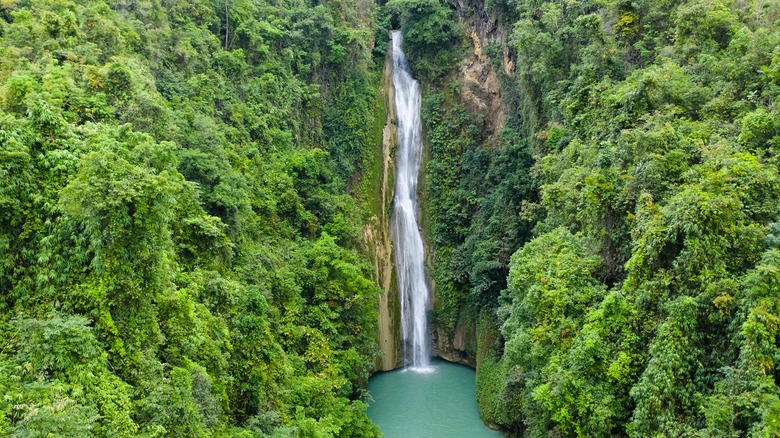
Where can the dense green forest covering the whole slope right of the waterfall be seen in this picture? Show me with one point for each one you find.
(640, 165)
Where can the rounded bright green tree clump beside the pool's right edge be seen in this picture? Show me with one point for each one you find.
(550, 289)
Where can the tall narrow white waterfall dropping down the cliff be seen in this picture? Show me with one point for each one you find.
(409, 252)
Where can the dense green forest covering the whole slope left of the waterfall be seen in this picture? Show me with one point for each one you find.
(177, 248)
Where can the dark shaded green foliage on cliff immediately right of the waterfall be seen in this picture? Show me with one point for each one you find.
(474, 194)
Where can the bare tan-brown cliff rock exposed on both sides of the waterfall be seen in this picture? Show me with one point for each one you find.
(480, 90)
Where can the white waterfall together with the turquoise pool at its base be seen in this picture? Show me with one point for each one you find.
(422, 400)
